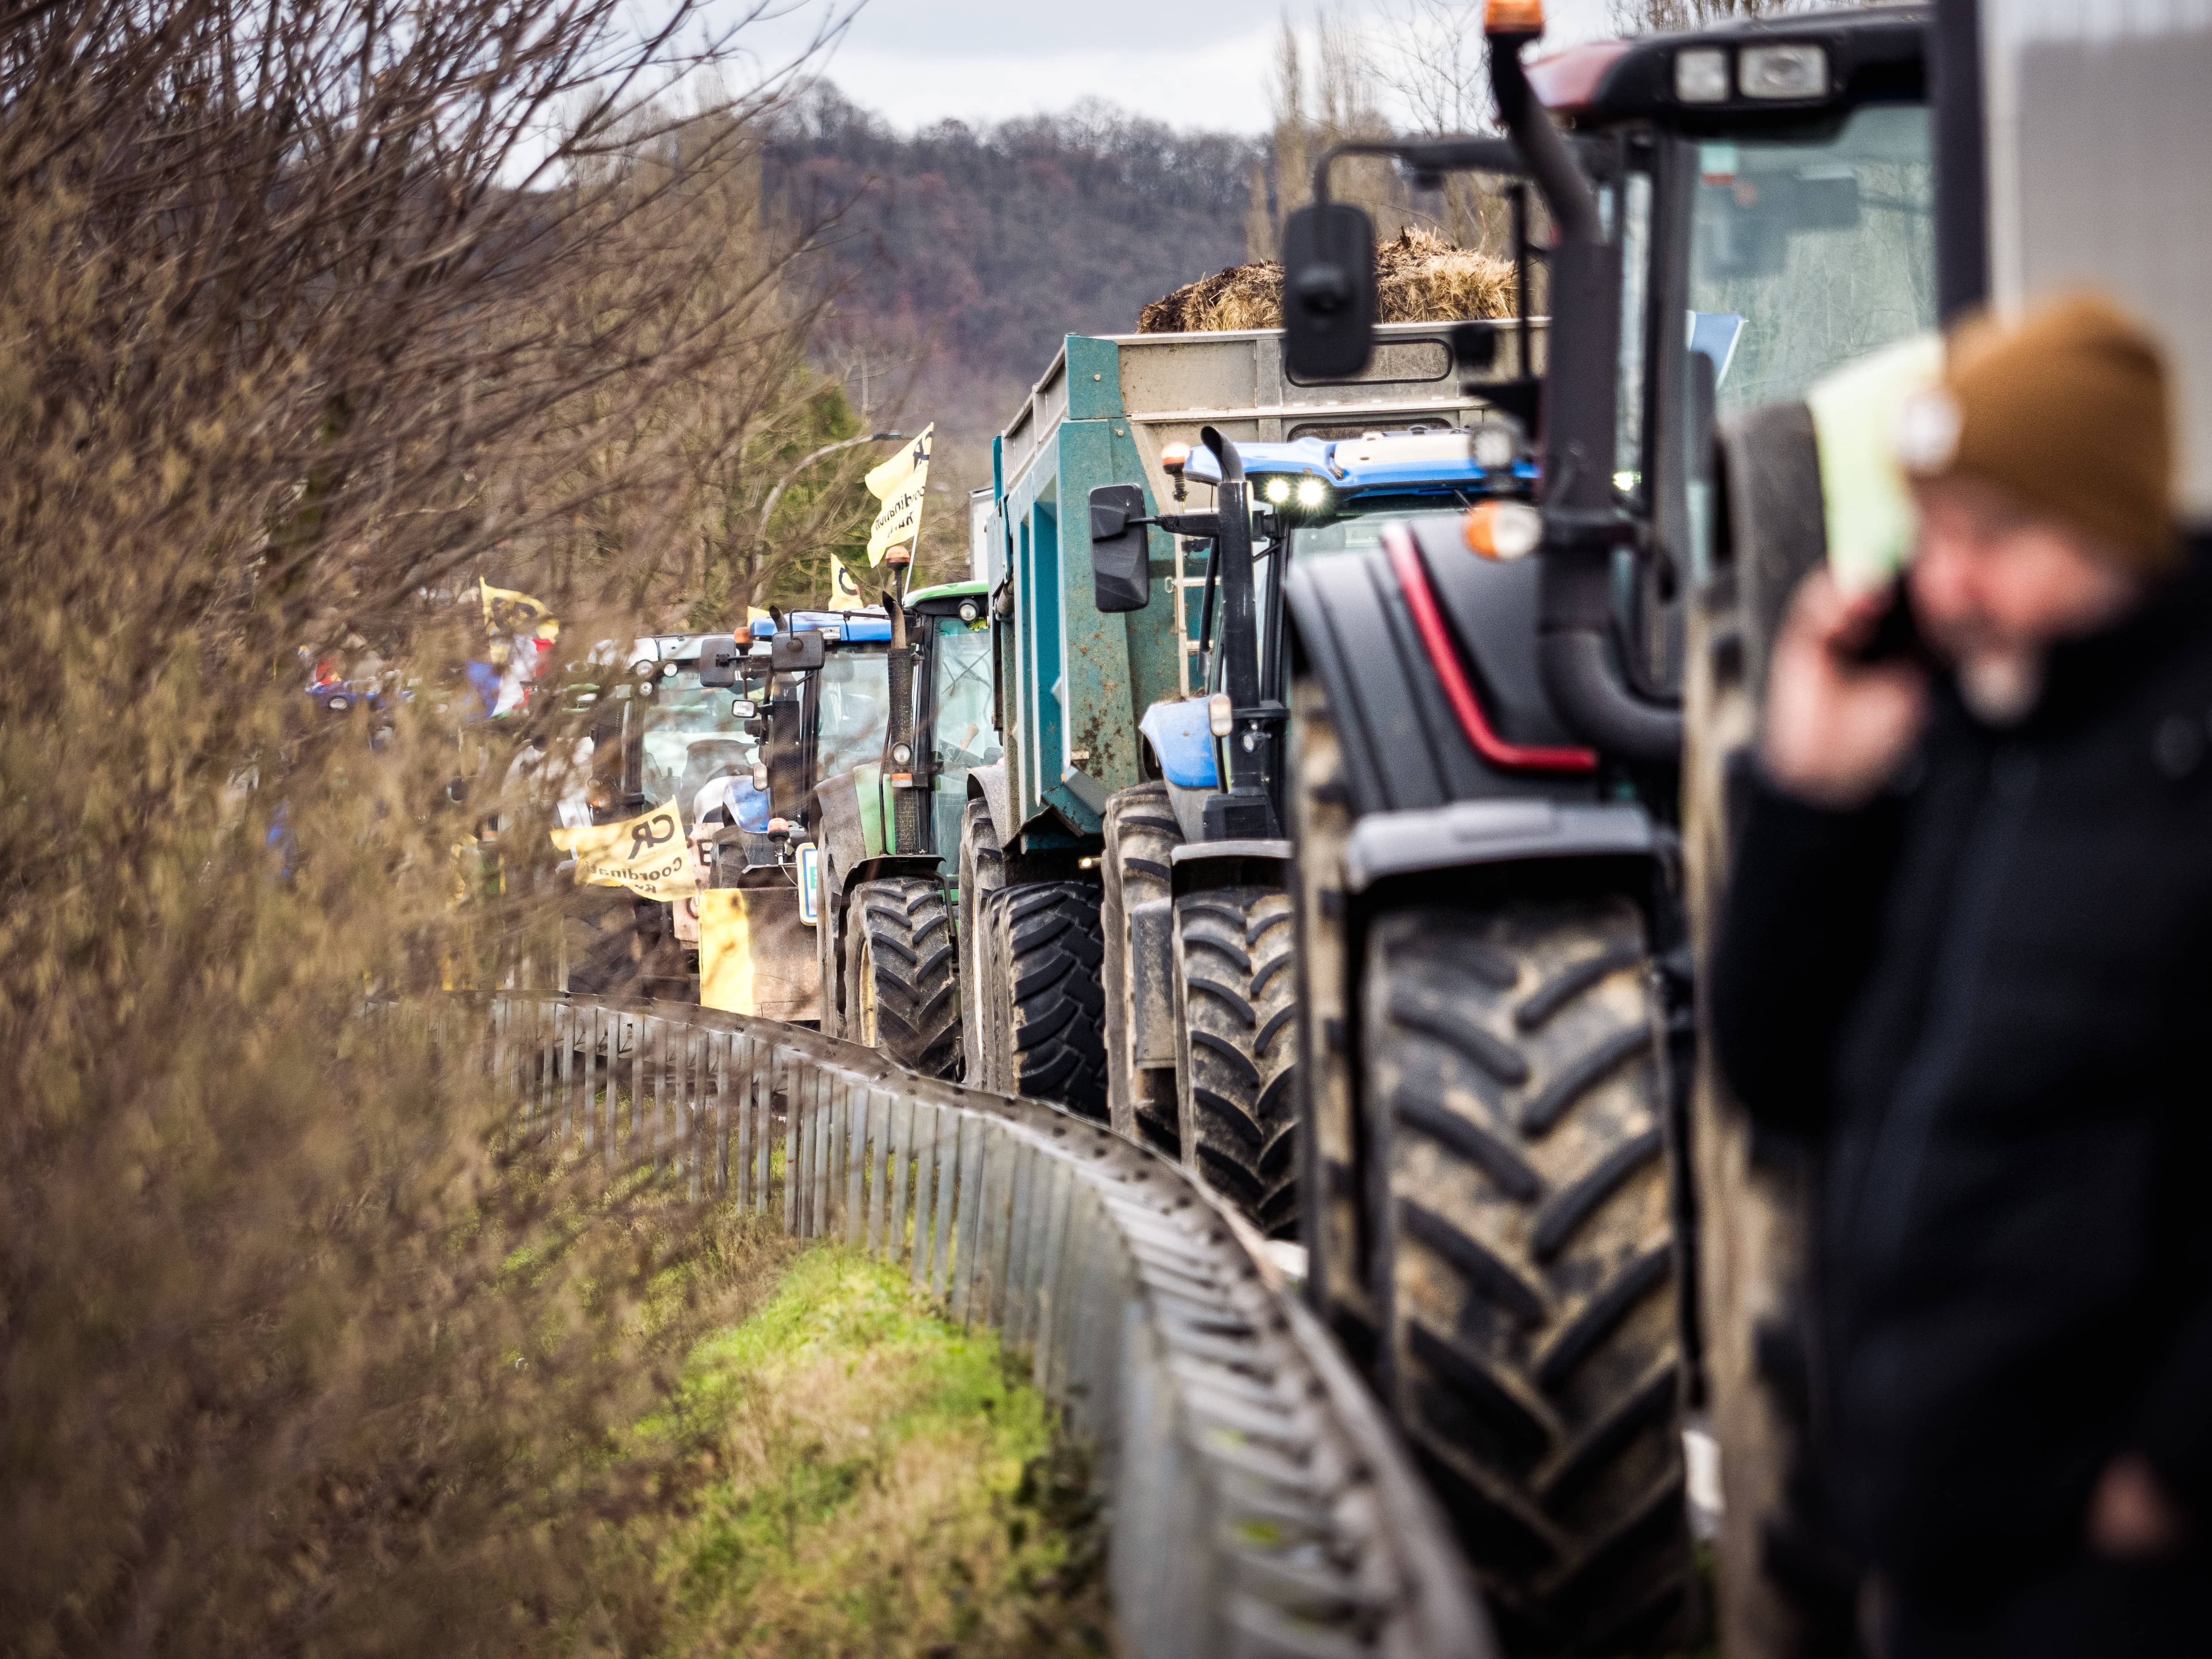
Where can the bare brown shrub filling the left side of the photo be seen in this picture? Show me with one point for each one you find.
(309, 315)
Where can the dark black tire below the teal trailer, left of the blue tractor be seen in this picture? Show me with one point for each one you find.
(1043, 972)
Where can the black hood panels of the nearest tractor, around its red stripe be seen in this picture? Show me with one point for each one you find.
(1404, 744)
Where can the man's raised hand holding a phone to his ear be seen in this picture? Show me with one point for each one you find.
(1837, 731)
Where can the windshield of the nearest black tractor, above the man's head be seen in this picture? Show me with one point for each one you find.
(1813, 251)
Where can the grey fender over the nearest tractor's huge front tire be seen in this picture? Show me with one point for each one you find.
(1494, 833)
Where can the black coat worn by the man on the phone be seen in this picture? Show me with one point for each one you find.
(1987, 1001)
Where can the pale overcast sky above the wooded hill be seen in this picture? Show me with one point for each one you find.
(983, 61)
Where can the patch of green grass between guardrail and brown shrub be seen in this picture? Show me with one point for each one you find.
(888, 1485)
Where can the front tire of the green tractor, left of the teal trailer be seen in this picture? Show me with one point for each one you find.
(901, 974)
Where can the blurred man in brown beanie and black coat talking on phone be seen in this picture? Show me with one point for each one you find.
(1970, 959)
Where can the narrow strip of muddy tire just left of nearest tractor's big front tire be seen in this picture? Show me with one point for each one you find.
(1333, 1154)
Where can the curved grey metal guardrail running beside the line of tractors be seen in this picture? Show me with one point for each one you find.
(1260, 1505)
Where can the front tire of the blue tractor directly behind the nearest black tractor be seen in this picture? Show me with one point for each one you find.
(1235, 1050)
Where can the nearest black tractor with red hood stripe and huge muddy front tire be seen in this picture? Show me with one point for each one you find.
(1510, 1207)
